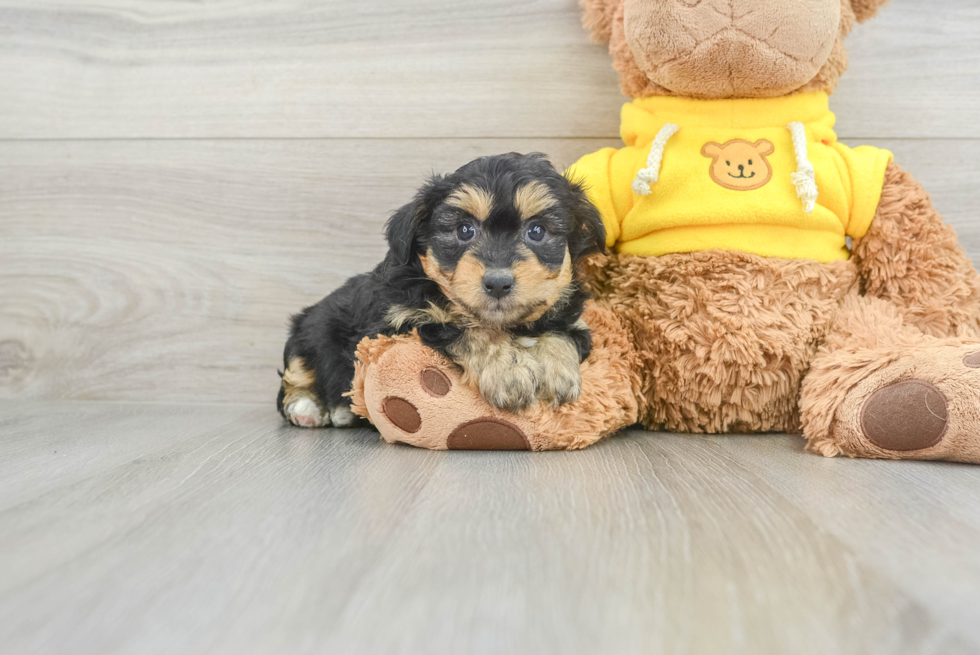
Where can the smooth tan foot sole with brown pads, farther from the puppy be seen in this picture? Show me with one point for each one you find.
(925, 406)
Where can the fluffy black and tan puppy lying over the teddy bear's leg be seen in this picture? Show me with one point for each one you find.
(483, 264)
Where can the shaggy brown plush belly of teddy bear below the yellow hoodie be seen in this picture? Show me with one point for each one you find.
(724, 338)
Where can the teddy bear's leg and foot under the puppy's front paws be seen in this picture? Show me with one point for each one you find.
(414, 395)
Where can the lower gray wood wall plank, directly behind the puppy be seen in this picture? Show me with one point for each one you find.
(166, 271)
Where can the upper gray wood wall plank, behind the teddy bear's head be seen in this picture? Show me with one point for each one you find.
(376, 69)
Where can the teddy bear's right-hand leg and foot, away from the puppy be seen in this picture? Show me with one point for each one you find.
(881, 388)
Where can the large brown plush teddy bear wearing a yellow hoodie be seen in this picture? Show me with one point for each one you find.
(759, 276)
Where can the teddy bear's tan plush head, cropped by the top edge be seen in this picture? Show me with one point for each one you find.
(726, 48)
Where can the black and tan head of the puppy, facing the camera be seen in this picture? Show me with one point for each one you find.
(503, 240)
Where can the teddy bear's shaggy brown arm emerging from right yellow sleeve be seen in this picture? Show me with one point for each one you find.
(912, 259)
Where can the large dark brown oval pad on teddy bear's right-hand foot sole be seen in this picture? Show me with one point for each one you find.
(906, 415)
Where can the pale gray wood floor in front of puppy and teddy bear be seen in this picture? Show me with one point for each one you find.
(238, 534)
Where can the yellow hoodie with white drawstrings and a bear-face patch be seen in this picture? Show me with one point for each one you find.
(764, 176)
